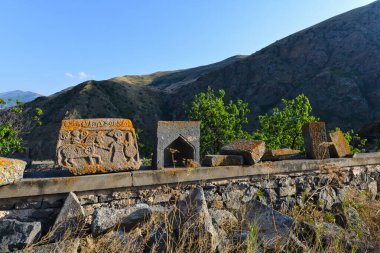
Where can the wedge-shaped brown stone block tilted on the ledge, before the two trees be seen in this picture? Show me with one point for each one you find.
(251, 150)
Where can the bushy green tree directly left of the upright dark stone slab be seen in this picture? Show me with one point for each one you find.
(283, 128)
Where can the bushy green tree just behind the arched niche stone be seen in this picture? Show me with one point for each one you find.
(221, 122)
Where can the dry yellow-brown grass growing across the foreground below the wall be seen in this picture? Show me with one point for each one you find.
(242, 236)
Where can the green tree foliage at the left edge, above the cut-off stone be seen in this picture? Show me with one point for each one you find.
(10, 140)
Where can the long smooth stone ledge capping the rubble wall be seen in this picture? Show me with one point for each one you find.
(47, 186)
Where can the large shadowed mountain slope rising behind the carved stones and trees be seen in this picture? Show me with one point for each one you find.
(336, 64)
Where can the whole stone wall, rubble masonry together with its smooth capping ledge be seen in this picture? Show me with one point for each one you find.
(325, 183)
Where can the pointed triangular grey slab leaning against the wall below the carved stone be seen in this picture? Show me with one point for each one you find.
(70, 219)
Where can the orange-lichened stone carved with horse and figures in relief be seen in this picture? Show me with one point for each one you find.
(88, 146)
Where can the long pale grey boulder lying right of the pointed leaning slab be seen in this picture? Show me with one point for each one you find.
(105, 218)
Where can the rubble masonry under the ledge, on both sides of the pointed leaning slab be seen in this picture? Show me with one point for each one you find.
(324, 186)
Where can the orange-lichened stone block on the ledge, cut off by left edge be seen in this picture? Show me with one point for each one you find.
(11, 170)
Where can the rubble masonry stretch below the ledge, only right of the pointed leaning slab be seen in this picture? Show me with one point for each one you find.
(281, 190)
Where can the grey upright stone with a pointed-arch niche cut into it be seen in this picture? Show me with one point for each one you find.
(177, 141)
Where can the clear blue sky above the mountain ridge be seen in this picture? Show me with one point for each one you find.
(46, 46)
